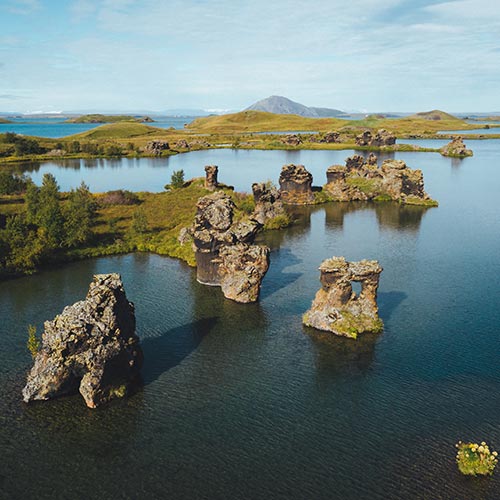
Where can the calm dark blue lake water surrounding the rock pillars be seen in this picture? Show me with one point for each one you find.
(242, 402)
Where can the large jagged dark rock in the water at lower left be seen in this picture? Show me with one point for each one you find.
(91, 347)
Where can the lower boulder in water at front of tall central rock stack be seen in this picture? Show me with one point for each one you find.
(241, 271)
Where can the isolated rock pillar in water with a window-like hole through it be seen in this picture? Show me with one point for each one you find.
(336, 308)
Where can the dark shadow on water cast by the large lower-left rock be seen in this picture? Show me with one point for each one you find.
(168, 350)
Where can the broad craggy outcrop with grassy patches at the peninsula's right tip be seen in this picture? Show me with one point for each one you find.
(362, 180)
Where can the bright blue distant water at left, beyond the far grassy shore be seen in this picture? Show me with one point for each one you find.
(55, 127)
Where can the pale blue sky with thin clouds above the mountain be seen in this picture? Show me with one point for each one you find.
(370, 55)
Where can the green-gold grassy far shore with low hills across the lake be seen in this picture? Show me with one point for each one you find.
(239, 130)
